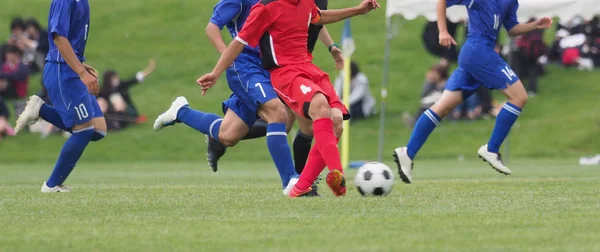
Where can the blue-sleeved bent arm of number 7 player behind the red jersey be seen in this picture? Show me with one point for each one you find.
(225, 11)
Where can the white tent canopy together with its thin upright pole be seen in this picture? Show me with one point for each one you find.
(411, 9)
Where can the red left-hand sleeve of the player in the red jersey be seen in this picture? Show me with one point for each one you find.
(260, 19)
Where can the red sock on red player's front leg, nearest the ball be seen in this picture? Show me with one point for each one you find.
(326, 142)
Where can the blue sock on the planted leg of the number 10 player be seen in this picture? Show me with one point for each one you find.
(69, 155)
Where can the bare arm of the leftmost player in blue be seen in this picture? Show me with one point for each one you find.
(68, 54)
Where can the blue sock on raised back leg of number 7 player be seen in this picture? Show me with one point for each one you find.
(206, 123)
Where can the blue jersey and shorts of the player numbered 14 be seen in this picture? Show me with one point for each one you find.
(478, 63)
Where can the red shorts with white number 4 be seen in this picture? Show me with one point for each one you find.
(297, 84)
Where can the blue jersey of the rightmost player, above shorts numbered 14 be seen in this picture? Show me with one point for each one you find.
(486, 16)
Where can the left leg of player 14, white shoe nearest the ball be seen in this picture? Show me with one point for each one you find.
(427, 122)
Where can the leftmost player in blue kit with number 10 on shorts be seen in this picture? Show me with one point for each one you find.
(71, 86)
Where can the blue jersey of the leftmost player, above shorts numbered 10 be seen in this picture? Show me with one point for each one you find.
(69, 19)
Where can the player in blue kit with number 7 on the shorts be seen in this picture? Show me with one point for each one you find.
(253, 96)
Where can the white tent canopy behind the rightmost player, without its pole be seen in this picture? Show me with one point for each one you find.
(564, 9)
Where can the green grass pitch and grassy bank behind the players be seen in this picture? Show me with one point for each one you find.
(139, 190)
